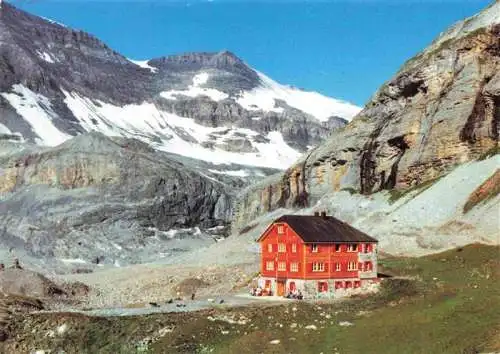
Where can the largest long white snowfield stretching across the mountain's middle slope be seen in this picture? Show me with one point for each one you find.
(171, 133)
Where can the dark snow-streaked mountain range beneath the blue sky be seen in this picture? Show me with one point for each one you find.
(58, 83)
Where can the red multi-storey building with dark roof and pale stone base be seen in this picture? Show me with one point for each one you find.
(317, 255)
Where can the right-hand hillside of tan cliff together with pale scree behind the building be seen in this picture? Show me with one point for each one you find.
(437, 117)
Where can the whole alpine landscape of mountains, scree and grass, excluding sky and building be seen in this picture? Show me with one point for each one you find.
(126, 184)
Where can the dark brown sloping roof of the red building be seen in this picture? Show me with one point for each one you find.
(323, 229)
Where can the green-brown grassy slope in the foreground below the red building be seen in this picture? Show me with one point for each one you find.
(448, 304)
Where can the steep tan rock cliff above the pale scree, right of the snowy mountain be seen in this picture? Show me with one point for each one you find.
(440, 110)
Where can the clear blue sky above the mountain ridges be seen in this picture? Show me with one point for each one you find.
(341, 48)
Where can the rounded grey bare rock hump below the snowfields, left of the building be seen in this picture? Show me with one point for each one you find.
(102, 200)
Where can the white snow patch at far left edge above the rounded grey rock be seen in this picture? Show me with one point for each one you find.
(37, 111)
